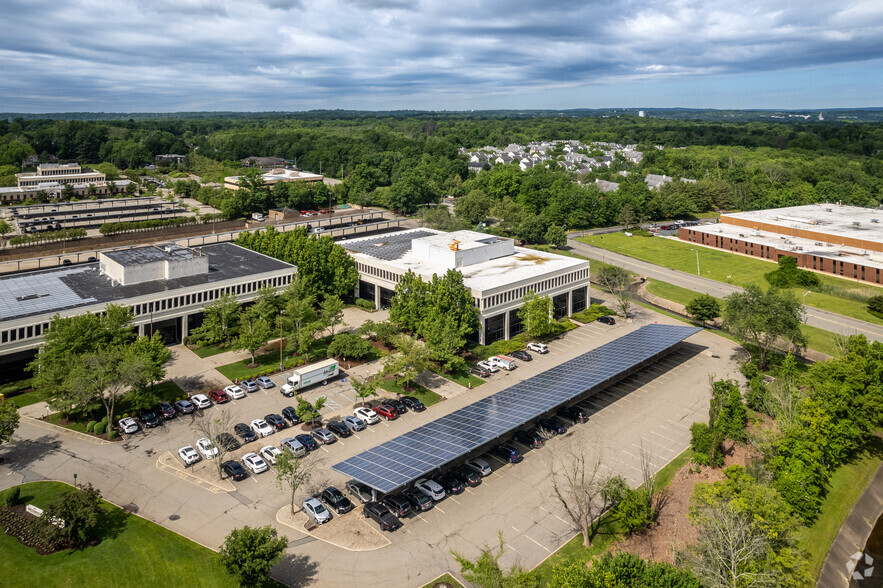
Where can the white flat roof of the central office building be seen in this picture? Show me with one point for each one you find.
(394, 249)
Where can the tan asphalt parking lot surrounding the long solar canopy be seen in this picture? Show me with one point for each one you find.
(651, 411)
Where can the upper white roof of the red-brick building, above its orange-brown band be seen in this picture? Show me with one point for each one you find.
(831, 219)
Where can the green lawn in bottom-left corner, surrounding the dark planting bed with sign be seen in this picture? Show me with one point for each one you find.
(142, 552)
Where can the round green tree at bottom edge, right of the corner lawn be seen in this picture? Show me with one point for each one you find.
(249, 554)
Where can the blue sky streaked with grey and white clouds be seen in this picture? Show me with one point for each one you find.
(173, 55)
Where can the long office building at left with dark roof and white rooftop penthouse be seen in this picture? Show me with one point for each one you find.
(166, 287)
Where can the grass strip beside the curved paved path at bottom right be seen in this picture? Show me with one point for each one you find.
(847, 484)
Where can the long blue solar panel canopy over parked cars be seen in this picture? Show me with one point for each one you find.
(402, 460)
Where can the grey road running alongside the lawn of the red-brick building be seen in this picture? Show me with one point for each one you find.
(815, 317)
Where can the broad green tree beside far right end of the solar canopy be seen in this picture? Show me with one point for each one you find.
(764, 317)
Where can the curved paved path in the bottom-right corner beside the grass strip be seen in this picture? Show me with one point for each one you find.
(853, 535)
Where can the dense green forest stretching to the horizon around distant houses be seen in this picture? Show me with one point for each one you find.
(408, 160)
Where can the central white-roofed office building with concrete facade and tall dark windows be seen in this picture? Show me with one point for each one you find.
(497, 273)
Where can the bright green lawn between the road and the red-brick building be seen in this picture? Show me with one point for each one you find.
(728, 267)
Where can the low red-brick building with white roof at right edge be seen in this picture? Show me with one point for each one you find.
(839, 240)
